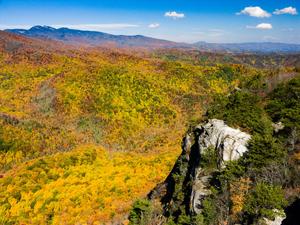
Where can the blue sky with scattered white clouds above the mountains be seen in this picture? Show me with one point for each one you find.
(178, 20)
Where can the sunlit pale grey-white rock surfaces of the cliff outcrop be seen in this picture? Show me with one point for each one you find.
(229, 144)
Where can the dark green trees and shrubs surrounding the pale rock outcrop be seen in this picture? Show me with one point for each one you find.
(253, 189)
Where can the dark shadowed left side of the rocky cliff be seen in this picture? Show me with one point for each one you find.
(181, 177)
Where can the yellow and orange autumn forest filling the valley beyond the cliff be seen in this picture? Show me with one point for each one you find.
(85, 132)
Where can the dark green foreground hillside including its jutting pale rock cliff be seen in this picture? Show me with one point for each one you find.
(218, 179)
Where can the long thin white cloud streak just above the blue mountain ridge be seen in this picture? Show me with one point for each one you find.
(96, 27)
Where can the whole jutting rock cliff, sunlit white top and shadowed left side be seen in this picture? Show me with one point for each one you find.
(188, 183)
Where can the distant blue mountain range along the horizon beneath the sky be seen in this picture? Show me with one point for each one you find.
(93, 38)
